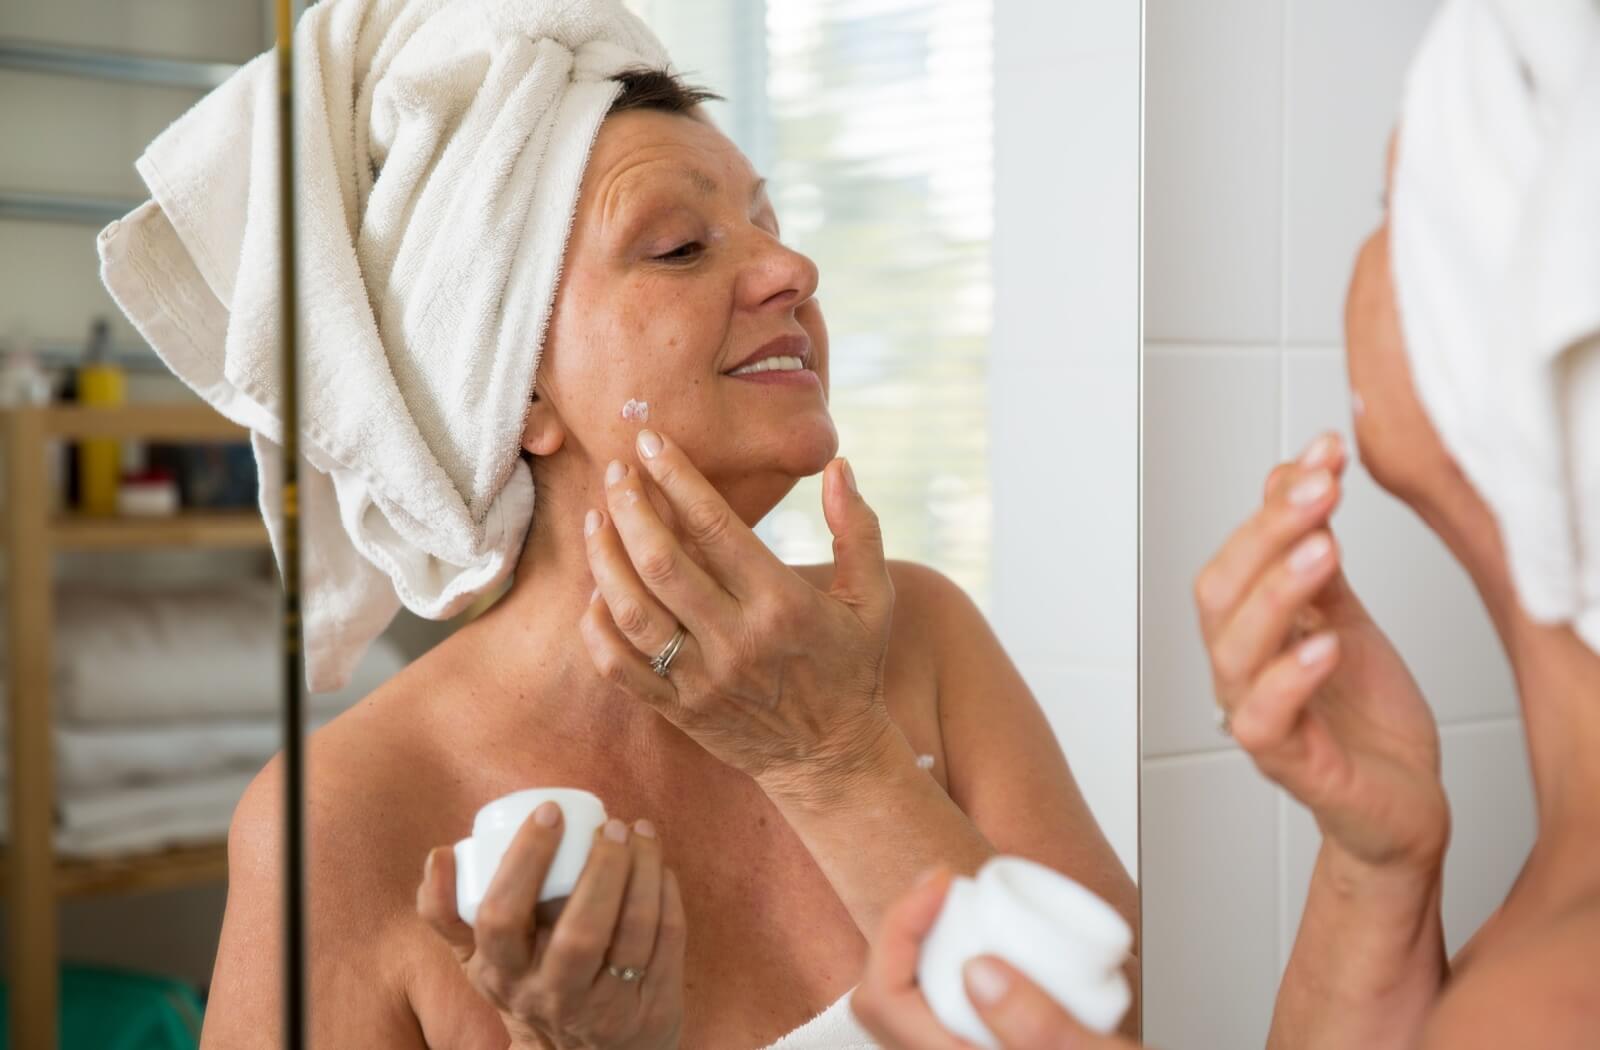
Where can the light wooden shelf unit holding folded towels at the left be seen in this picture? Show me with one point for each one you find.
(34, 880)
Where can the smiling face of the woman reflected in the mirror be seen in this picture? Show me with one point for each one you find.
(676, 283)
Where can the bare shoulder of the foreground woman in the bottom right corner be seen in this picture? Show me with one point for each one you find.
(1538, 990)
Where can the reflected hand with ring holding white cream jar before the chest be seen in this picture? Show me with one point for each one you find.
(559, 987)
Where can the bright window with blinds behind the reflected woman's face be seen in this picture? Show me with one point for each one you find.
(873, 121)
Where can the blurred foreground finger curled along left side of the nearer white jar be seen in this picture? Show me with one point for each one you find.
(889, 1003)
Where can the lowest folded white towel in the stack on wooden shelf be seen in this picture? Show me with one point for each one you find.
(153, 817)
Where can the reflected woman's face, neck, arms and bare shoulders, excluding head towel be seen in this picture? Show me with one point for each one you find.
(774, 775)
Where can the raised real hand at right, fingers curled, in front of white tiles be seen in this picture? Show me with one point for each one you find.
(1311, 687)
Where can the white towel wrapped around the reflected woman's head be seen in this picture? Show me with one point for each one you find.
(441, 150)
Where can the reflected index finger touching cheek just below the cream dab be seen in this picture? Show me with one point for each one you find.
(734, 553)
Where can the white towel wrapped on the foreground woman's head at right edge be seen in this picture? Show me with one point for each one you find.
(1495, 246)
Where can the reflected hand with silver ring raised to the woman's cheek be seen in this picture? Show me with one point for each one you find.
(775, 678)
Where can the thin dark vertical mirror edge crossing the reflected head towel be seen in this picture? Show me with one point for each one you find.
(295, 1008)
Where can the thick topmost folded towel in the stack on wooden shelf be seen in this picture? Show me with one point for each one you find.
(145, 657)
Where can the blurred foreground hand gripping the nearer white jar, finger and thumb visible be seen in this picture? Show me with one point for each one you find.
(1017, 1011)
